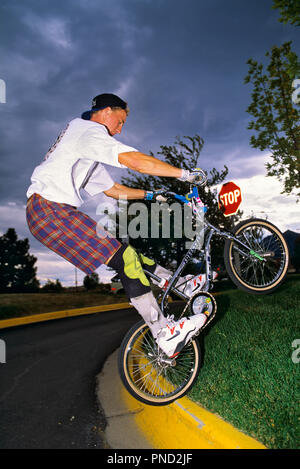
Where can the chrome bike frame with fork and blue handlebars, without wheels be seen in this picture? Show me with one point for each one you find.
(202, 239)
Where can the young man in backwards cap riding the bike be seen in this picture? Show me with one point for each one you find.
(73, 163)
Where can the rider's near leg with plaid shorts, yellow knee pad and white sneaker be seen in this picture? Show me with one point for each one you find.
(75, 236)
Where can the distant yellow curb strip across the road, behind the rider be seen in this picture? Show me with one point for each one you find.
(4, 323)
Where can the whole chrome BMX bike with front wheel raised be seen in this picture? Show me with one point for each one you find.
(256, 259)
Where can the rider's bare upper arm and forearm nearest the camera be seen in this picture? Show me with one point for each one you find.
(148, 164)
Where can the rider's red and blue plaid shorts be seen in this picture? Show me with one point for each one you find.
(70, 233)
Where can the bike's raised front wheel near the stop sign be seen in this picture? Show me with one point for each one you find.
(261, 268)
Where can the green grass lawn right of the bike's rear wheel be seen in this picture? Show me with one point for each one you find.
(248, 376)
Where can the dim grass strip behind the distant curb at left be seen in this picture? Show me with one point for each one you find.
(17, 304)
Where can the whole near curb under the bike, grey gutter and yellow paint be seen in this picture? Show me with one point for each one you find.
(180, 425)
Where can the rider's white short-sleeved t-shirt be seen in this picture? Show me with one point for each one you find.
(74, 162)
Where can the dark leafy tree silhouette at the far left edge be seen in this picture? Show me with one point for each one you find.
(17, 271)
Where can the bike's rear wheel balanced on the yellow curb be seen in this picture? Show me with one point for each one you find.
(149, 375)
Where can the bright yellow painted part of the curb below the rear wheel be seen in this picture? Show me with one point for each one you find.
(185, 425)
